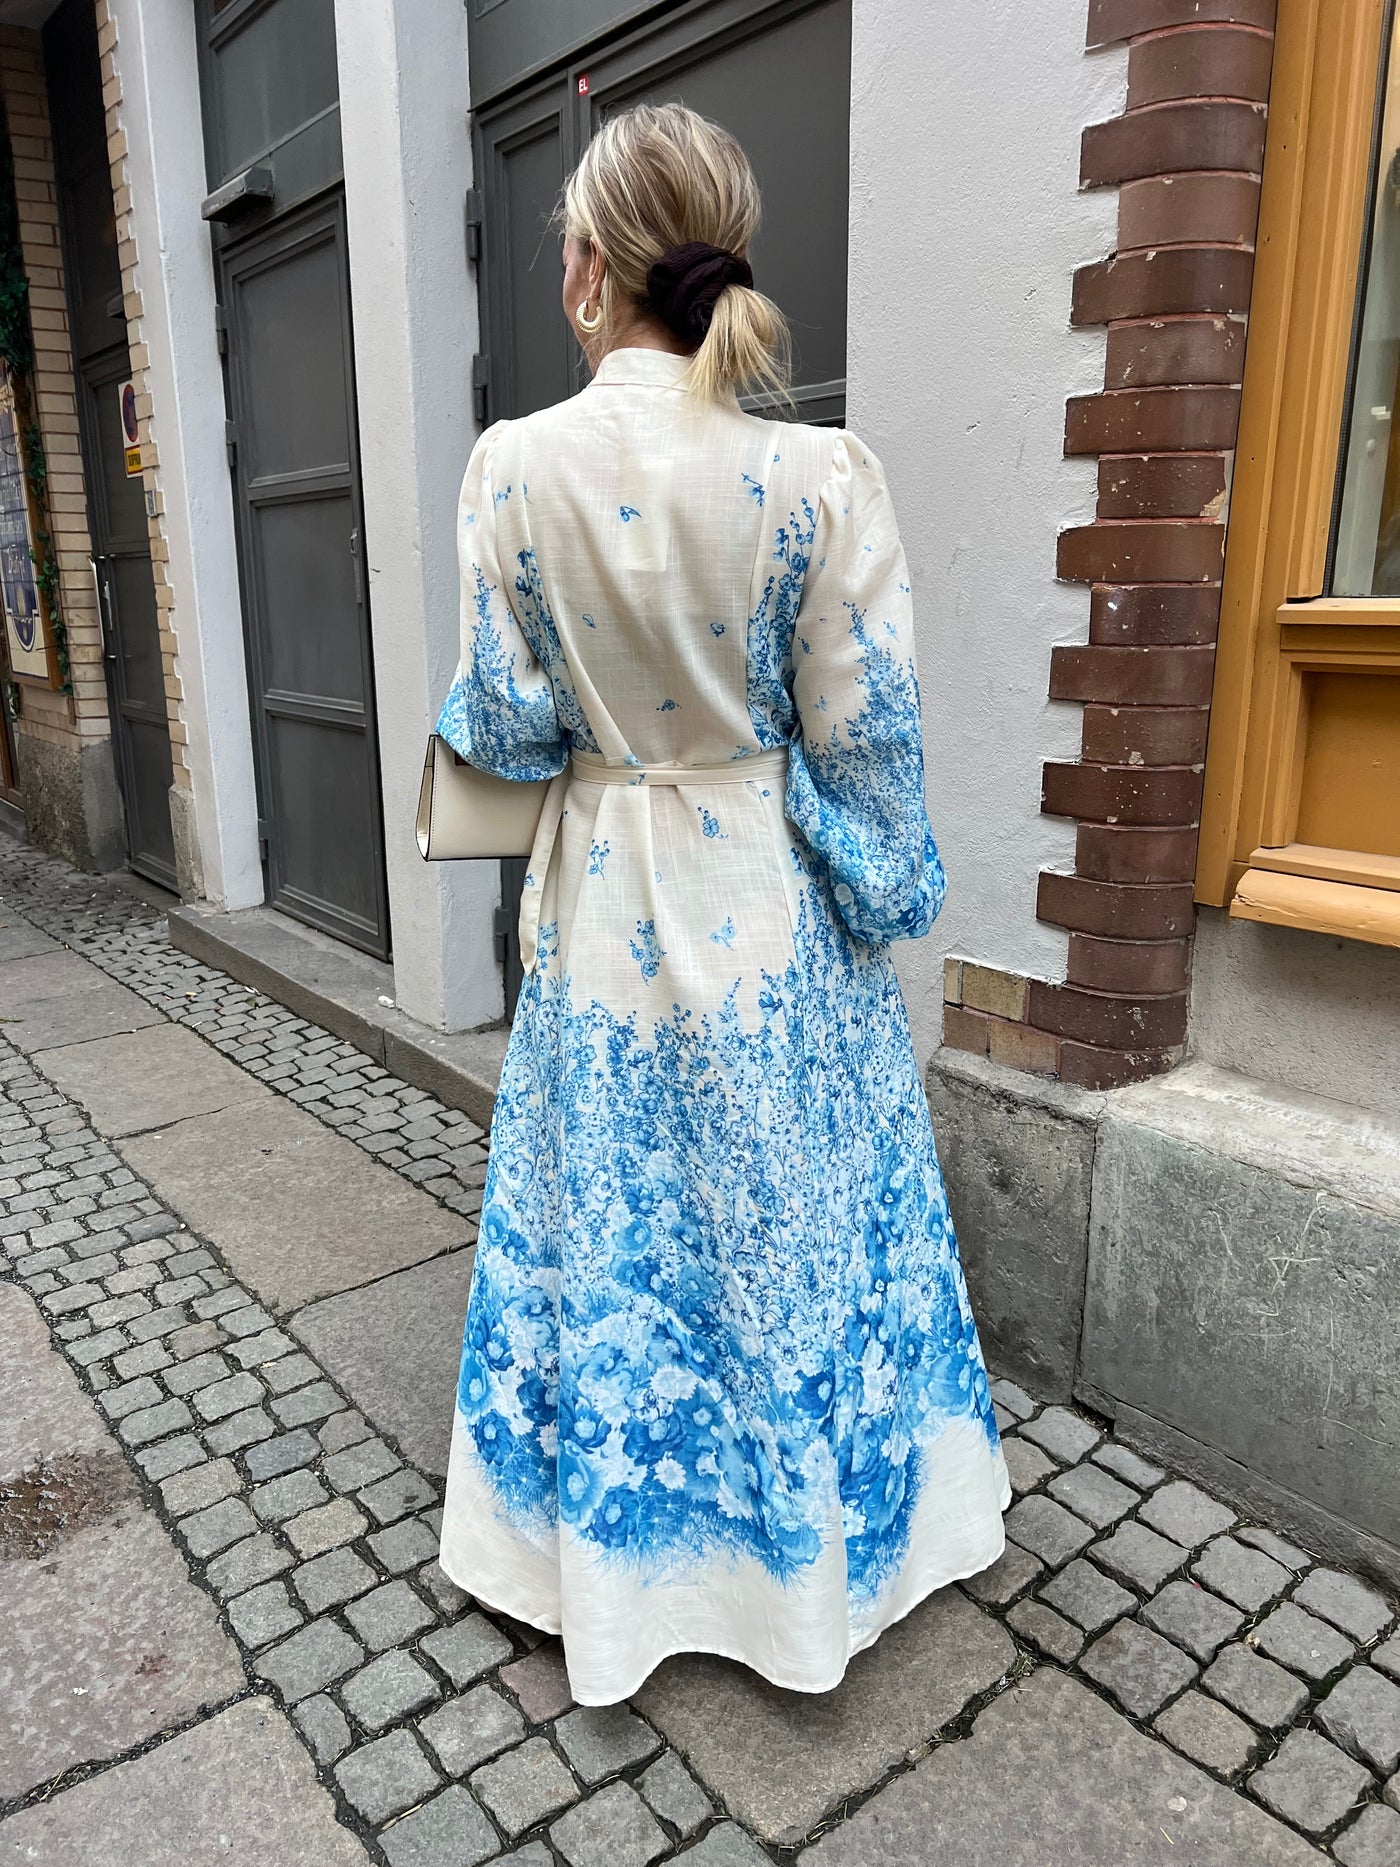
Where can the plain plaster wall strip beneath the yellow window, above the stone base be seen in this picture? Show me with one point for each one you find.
(1300, 1009)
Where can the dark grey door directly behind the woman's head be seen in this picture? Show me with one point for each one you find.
(779, 76)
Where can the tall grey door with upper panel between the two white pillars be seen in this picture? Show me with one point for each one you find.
(277, 206)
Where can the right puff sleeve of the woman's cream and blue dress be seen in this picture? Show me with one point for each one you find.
(856, 776)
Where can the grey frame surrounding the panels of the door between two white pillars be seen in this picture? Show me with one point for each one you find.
(311, 223)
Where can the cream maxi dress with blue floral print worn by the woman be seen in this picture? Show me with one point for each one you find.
(721, 1388)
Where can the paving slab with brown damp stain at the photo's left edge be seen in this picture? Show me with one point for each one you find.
(105, 1640)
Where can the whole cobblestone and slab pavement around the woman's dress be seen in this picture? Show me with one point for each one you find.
(221, 1450)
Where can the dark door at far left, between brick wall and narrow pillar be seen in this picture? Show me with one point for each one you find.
(117, 501)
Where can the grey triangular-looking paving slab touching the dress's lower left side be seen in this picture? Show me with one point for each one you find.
(395, 1349)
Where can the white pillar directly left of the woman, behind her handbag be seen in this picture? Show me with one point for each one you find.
(408, 167)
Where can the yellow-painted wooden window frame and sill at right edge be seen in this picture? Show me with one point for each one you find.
(1280, 636)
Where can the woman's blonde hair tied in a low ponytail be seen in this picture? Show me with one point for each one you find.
(656, 178)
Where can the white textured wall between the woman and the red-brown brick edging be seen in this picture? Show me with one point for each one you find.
(966, 229)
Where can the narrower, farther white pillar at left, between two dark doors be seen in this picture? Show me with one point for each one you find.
(165, 156)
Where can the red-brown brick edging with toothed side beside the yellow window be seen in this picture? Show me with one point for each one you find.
(1186, 160)
